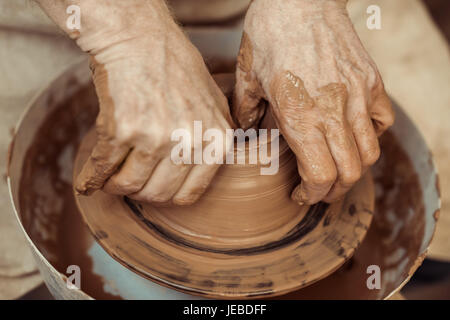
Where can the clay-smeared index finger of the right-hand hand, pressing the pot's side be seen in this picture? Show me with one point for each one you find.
(300, 124)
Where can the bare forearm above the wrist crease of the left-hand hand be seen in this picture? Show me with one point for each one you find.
(105, 22)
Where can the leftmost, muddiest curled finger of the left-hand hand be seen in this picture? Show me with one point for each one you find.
(104, 160)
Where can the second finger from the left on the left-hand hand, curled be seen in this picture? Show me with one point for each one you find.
(133, 174)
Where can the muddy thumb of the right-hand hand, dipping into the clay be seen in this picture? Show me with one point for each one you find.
(248, 93)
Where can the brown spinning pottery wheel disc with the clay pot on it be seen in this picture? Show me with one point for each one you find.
(244, 238)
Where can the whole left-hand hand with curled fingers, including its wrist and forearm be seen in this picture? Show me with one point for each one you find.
(150, 81)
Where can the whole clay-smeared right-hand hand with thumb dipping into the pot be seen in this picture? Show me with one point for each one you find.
(324, 91)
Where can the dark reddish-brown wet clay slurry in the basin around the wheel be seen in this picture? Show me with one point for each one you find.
(54, 223)
